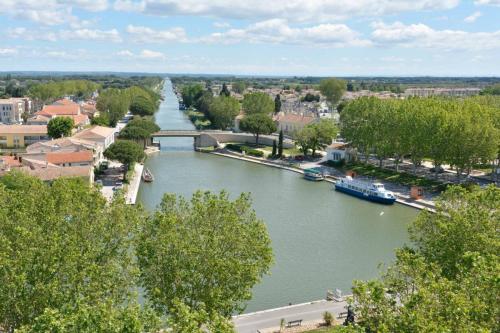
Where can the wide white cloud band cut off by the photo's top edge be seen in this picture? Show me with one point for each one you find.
(292, 10)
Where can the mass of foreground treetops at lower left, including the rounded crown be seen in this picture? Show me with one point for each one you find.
(72, 262)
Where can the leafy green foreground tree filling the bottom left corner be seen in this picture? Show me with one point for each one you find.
(70, 249)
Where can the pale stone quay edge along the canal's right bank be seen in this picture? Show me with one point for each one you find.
(401, 198)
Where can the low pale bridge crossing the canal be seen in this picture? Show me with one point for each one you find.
(204, 139)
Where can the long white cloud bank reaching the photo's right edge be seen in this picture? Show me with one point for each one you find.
(422, 36)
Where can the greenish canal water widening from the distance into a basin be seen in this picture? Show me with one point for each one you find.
(321, 239)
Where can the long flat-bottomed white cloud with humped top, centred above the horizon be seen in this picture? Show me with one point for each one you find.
(278, 31)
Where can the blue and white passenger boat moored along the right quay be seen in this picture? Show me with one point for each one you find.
(365, 190)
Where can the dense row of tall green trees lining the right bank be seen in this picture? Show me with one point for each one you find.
(459, 132)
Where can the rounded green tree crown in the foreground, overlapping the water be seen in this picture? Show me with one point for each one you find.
(207, 253)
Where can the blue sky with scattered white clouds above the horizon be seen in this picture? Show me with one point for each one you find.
(253, 37)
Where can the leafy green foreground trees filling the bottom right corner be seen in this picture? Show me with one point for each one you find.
(447, 281)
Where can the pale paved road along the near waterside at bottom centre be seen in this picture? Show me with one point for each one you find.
(250, 323)
